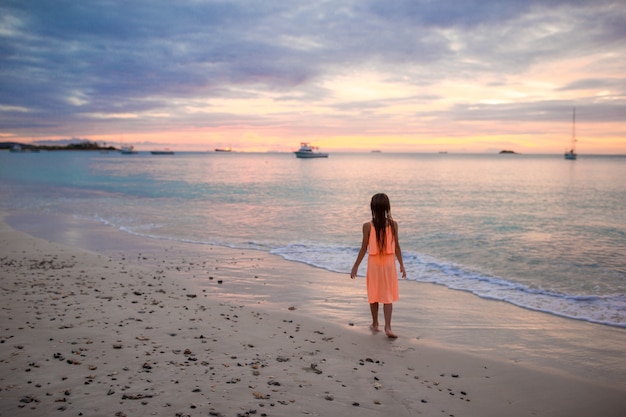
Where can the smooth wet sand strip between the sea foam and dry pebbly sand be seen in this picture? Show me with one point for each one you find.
(428, 312)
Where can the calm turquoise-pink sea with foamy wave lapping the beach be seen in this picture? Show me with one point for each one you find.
(535, 231)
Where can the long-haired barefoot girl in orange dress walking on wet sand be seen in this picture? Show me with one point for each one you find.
(381, 236)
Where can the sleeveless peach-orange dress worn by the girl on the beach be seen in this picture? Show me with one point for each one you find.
(382, 277)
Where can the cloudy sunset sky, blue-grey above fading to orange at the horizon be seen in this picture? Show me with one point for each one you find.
(355, 75)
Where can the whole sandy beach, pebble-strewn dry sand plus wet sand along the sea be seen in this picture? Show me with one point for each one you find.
(166, 332)
